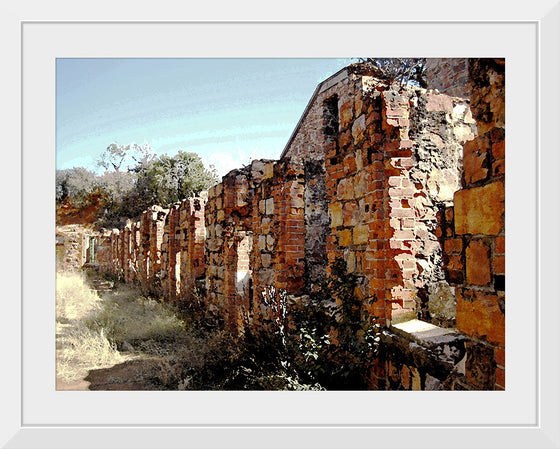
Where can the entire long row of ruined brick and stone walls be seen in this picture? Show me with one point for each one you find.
(405, 184)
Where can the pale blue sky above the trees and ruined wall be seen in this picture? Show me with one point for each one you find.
(229, 111)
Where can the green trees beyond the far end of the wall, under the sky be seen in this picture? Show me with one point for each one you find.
(134, 179)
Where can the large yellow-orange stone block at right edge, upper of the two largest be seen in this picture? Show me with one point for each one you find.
(480, 210)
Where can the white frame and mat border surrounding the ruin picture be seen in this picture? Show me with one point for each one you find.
(524, 415)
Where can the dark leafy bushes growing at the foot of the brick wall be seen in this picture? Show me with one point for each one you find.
(328, 340)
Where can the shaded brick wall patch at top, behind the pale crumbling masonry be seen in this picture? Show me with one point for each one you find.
(448, 75)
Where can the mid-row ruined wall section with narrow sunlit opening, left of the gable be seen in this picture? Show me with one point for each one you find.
(255, 237)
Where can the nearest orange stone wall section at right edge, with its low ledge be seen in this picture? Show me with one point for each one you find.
(472, 233)
